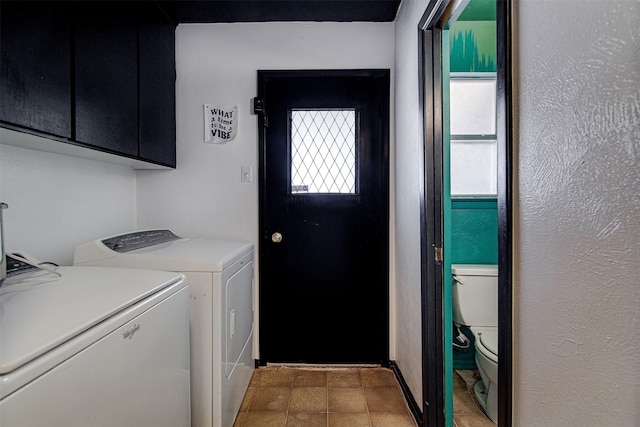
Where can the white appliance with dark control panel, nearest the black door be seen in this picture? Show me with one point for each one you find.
(220, 275)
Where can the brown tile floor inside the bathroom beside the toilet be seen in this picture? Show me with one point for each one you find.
(466, 412)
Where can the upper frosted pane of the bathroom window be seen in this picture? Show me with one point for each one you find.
(473, 106)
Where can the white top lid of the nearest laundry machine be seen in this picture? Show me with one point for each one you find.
(37, 316)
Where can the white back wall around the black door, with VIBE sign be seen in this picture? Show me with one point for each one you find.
(217, 64)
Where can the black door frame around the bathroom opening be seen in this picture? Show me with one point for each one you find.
(431, 219)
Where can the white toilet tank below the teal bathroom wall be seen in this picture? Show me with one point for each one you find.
(475, 294)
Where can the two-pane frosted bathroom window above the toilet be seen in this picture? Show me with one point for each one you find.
(474, 155)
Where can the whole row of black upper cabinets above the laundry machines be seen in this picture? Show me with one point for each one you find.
(96, 74)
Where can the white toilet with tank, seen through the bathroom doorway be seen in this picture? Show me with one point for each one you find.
(475, 304)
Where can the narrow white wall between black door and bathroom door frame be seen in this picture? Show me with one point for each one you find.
(409, 152)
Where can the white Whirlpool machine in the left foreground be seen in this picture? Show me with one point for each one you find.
(95, 347)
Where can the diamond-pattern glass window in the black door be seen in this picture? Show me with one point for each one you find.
(323, 151)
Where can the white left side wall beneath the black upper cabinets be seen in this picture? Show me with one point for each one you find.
(56, 202)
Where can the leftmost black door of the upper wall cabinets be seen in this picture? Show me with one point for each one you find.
(35, 76)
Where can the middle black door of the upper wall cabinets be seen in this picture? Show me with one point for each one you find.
(106, 76)
